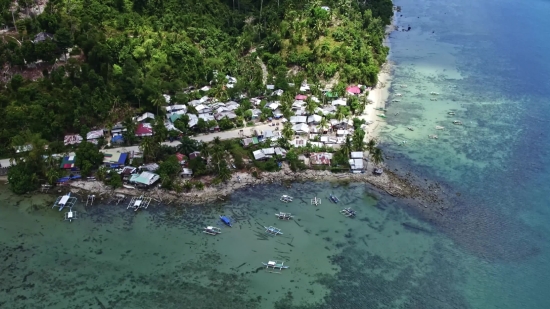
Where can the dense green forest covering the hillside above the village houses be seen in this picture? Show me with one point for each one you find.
(75, 65)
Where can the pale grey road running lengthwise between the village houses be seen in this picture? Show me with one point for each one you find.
(230, 134)
